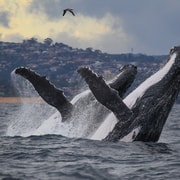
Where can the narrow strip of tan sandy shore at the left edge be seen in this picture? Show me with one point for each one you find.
(12, 100)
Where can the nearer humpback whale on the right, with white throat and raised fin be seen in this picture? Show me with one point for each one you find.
(143, 113)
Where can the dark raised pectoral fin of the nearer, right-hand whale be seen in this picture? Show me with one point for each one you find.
(105, 94)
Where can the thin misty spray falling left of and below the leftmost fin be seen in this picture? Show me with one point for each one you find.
(29, 116)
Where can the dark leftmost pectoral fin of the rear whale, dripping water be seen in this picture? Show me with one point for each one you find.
(47, 91)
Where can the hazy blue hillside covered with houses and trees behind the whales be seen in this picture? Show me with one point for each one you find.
(59, 63)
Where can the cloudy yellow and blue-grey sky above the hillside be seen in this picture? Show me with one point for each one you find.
(112, 26)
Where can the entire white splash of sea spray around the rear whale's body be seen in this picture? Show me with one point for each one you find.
(41, 119)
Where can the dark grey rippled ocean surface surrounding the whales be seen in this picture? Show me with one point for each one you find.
(57, 157)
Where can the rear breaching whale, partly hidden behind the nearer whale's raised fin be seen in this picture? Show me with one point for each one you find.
(83, 106)
